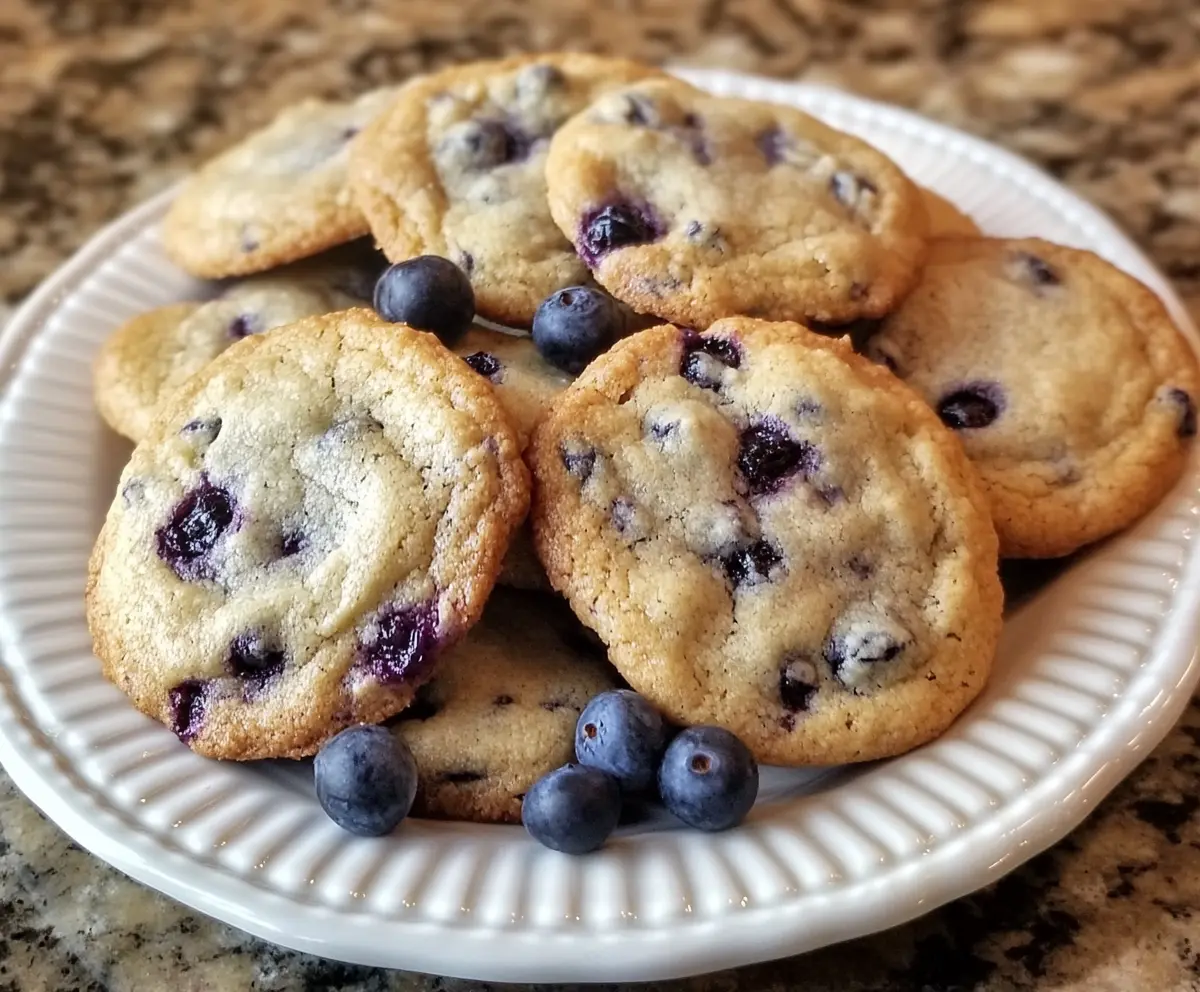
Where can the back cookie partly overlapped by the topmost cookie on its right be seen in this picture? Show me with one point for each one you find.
(457, 167)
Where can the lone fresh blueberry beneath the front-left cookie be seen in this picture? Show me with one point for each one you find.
(367, 780)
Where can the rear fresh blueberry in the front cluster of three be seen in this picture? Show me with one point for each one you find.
(622, 735)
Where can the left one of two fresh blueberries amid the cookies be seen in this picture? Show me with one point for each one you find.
(429, 293)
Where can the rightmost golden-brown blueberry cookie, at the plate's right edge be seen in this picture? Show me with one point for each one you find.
(1066, 381)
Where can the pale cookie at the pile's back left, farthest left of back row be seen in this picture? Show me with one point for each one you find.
(279, 196)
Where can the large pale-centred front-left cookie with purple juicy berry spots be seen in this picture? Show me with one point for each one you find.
(311, 521)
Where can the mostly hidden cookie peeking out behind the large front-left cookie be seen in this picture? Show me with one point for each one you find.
(152, 356)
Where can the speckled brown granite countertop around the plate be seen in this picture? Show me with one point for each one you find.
(103, 105)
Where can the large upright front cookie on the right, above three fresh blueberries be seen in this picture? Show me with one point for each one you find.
(773, 536)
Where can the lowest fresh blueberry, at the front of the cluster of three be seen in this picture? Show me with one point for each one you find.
(574, 809)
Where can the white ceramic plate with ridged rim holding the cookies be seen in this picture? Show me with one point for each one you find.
(1091, 675)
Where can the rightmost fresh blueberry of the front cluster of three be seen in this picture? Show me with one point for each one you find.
(709, 779)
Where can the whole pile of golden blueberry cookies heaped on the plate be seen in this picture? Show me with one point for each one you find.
(815, 411)
